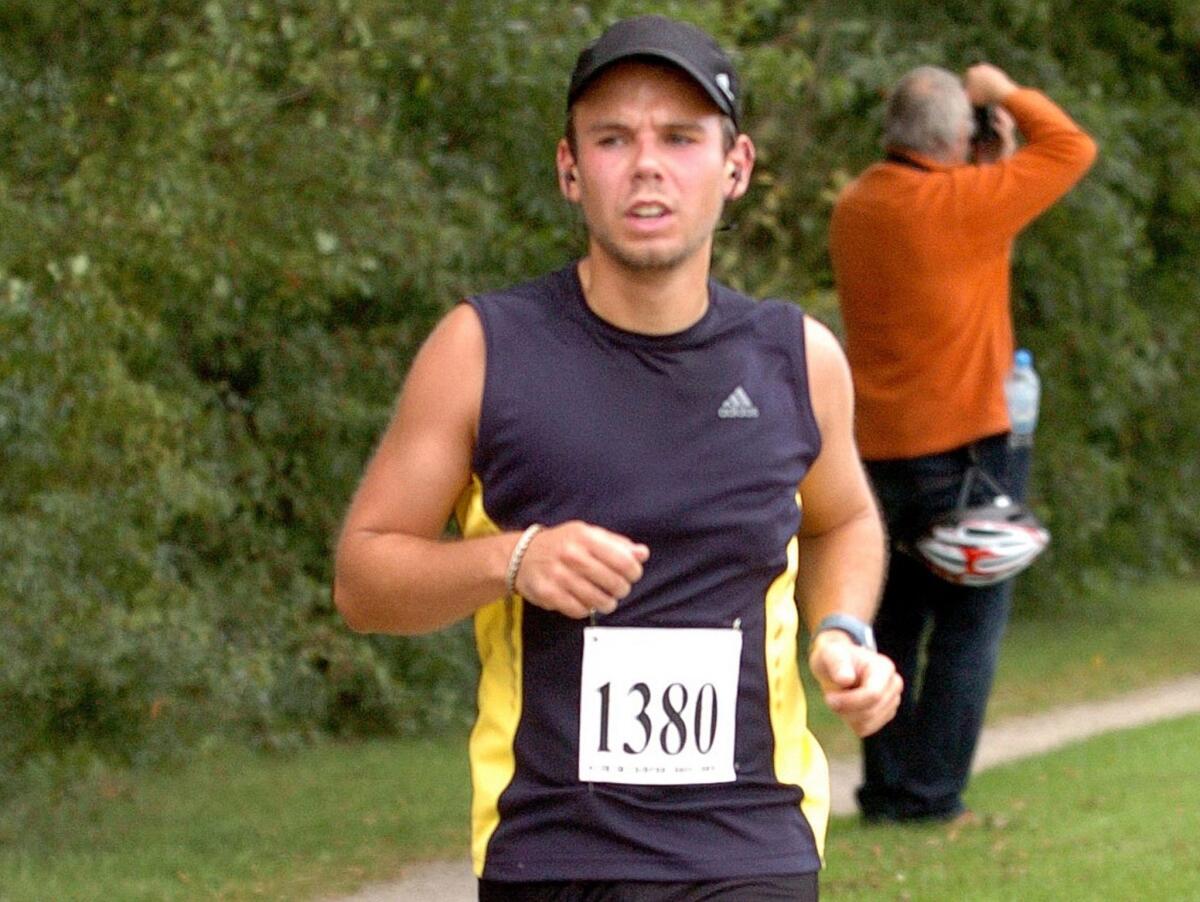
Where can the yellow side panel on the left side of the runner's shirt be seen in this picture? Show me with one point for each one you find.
(499, 641)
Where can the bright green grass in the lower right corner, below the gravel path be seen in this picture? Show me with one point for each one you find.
(1113, 819)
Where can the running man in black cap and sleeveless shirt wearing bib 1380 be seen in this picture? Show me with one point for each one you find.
(650, 471)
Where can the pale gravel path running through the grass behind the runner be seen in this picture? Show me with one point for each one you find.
(1010, 741)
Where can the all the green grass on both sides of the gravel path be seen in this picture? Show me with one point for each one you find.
(1117, 813)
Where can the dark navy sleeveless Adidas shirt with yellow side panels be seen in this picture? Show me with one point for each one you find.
(695, 444)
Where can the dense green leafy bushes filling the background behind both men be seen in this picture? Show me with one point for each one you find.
(230, 224)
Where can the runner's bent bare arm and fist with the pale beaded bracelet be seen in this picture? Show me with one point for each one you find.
(395, 573)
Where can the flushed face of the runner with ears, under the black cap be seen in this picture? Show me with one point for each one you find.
(651, 170)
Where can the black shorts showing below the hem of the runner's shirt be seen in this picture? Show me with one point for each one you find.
(790, 888)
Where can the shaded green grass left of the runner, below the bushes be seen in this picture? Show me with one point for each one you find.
(242, 826)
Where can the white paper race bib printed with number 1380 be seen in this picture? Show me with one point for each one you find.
(658, 707)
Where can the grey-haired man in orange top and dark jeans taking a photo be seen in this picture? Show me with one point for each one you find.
(922, 249)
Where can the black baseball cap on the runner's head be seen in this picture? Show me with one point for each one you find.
(662, 39)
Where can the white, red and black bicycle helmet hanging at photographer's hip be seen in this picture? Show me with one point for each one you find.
(983, 545)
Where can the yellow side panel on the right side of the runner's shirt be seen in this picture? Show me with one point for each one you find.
(800, 759)
